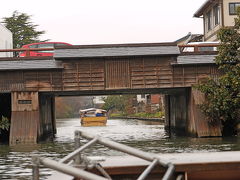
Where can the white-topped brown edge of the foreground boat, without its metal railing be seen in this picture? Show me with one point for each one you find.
(195, 166)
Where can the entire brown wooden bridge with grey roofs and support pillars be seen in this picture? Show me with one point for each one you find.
(28, 85)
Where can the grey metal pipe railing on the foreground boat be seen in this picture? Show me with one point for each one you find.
(77, 157)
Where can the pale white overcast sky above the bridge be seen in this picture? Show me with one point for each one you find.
(109, 21)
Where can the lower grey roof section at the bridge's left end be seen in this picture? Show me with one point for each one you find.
(29, 65)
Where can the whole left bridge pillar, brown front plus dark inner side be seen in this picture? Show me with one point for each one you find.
(32, 118)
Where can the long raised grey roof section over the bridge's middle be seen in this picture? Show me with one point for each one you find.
(119, 50)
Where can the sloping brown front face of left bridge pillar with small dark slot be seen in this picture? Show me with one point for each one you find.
(24, 118)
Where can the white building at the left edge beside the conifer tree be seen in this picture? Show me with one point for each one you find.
(6, 41)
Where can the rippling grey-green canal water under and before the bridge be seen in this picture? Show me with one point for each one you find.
(15, 161)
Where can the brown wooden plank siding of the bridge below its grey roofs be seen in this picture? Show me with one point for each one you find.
(139, 70)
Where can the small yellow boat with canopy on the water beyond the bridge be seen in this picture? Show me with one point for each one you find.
(93, 117)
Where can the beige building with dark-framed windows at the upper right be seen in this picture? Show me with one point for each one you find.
(216, 14)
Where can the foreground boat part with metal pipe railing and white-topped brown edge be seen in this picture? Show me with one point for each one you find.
(141, 165)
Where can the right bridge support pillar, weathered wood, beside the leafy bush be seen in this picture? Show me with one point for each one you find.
(184, 117)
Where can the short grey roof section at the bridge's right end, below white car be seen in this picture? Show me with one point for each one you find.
(195, 59)
